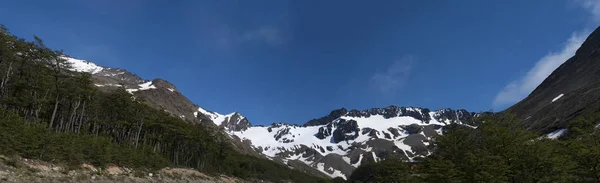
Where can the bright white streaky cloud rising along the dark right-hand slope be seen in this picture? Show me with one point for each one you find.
(519, 89)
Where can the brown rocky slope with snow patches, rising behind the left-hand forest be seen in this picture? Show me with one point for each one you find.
(158, 93)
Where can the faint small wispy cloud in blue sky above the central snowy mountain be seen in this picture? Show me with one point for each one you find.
(395, 76)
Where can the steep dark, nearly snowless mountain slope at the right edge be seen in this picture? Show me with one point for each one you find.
(578, 79)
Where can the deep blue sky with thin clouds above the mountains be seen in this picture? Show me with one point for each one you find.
(291, 61)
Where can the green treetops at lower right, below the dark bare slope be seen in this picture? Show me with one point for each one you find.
(499, 150)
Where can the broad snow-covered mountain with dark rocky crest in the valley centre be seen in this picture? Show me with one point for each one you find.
(343, 140)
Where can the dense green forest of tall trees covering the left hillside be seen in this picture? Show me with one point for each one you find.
(50, 113)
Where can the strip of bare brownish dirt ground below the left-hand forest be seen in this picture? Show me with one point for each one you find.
(17, 170)
